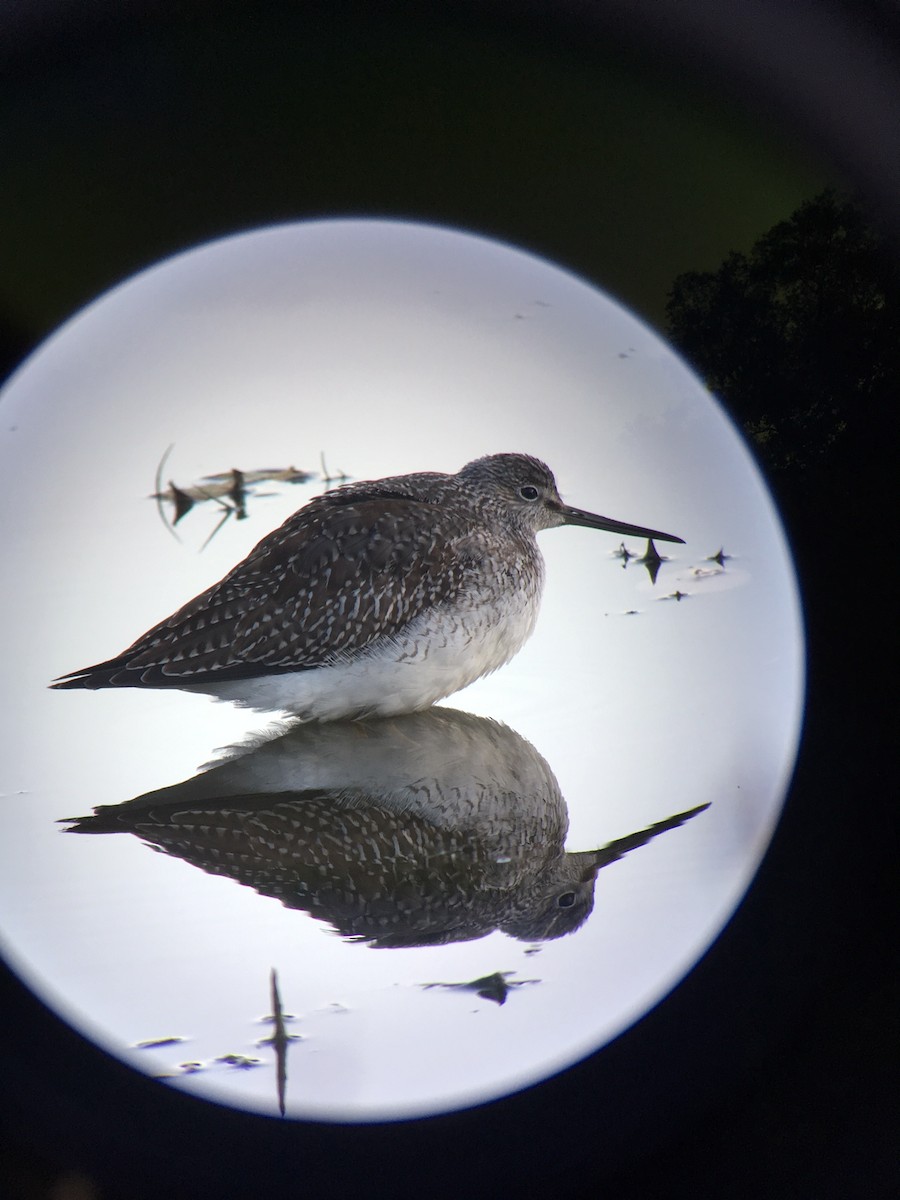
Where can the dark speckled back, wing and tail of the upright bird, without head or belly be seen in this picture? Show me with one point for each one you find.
(347, 572)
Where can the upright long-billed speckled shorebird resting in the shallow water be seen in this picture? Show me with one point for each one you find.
(375, 599)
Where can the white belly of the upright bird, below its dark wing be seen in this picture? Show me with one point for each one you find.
(433, 658)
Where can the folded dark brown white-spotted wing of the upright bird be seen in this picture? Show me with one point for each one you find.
(338, 575)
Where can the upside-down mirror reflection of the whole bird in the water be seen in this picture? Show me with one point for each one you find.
(419, 831)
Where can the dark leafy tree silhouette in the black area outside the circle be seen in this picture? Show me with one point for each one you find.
(801, 340)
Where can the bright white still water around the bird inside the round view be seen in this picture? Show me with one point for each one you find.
(392, 349)
